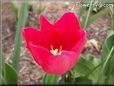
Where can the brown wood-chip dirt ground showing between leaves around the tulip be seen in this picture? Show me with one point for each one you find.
(30, 72)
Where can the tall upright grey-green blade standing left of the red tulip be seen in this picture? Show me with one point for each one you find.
(18, 39)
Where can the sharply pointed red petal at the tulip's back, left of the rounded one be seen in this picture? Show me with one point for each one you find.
(49, 34)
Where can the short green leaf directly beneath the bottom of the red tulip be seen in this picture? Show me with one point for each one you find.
(51, 79)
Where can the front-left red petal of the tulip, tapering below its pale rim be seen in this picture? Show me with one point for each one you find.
(39, 53)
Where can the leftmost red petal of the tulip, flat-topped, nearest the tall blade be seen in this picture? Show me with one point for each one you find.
(32, 35)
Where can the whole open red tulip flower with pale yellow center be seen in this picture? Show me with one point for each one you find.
(56, 47)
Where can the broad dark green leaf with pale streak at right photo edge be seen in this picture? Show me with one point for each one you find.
(107, 59)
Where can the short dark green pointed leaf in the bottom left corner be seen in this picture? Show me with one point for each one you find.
(10, 74)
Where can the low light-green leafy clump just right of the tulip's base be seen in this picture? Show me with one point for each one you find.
(87, 67)
